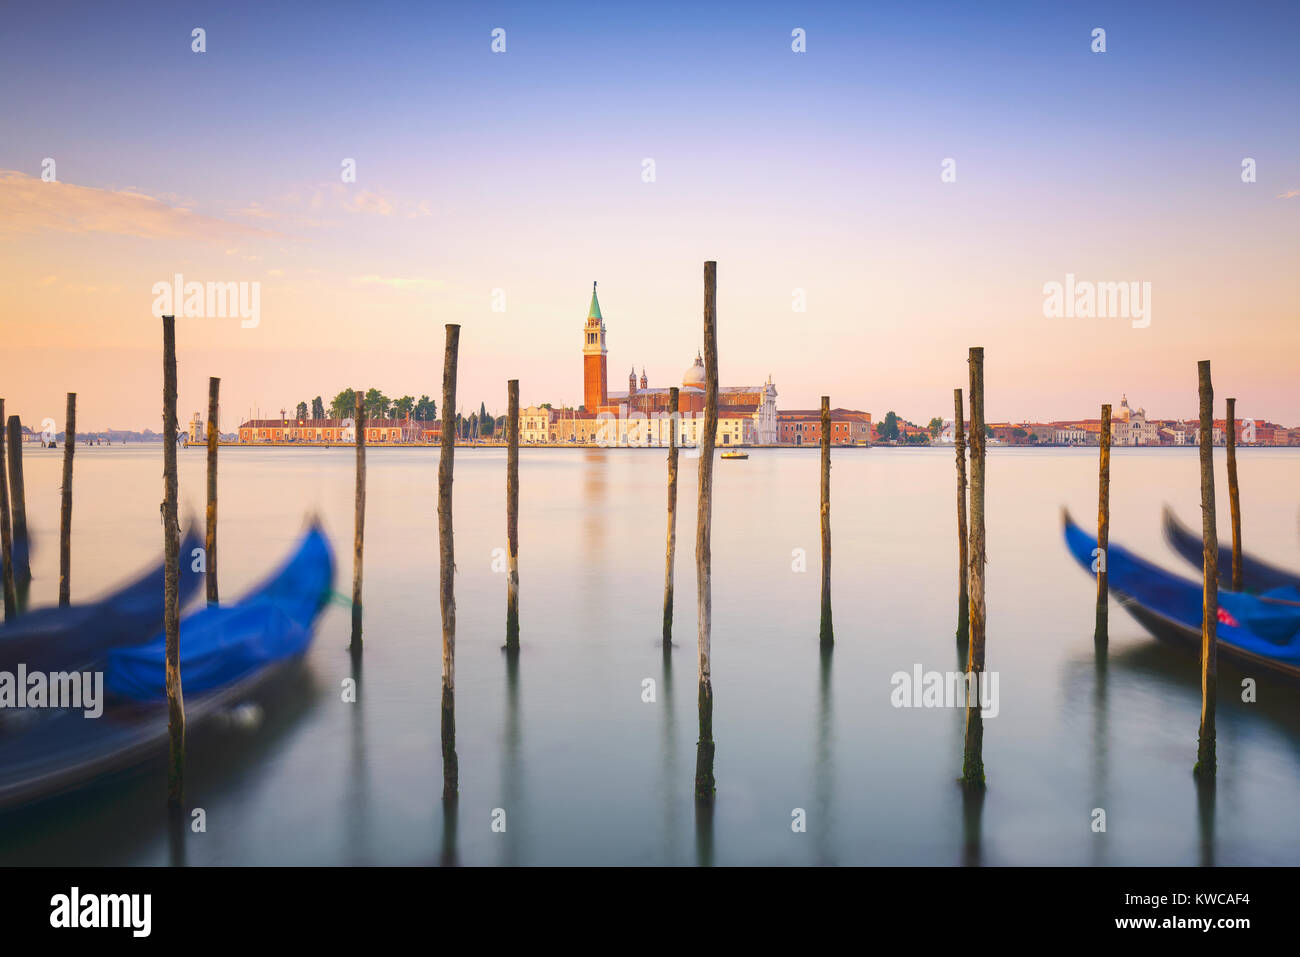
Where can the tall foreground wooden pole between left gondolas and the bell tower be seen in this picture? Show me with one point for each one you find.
(447, 568)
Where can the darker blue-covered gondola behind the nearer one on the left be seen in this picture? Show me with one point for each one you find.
(80, 636)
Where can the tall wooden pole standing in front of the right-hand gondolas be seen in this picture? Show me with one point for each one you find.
(1207, 760)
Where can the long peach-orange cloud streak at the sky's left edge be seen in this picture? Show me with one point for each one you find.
(29, 205)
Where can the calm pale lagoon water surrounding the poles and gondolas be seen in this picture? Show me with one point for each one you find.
(587, 773)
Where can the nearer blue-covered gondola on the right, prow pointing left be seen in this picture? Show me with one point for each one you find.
(1262, 630)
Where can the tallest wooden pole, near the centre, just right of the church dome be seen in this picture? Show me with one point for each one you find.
(705, 785)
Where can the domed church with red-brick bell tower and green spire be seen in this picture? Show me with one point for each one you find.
(747, 415)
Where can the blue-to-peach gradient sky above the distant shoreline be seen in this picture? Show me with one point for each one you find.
(493, 188)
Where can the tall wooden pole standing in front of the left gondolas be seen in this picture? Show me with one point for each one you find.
(172, 568)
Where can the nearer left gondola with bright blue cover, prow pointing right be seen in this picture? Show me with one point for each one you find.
(228, 656)
